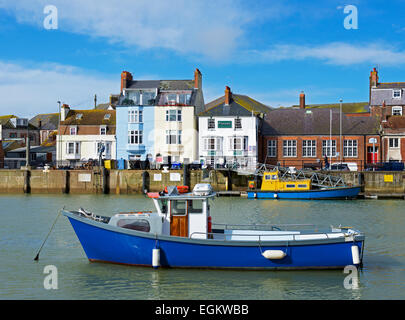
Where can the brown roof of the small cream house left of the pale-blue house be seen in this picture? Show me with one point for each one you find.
(90, 117)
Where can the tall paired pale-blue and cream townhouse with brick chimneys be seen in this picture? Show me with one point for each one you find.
(156, 119)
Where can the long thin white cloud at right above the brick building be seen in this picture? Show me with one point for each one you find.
(336, 53)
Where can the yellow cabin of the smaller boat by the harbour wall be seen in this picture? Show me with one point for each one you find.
(272, 182)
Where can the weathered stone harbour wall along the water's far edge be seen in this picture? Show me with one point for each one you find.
(137, 181)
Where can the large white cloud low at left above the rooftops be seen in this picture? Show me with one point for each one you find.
(27, 91)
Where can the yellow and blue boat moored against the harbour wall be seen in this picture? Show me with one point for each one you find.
(273, 187)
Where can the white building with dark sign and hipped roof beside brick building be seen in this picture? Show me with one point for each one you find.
(229, 131)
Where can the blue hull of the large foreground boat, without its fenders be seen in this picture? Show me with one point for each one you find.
(103, 243)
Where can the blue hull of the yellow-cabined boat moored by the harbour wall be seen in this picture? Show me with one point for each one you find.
(335, 193)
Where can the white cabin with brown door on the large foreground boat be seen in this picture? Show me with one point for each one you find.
(177, 214)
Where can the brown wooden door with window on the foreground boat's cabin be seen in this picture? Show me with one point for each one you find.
(179, 218)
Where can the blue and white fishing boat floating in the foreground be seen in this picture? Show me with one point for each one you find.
(180, 234)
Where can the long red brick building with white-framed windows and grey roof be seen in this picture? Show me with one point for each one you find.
(300, 137)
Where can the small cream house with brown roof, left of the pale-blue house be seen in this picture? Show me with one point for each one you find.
(83, 134)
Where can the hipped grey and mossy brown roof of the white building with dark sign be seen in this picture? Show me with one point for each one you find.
(240, 105)
